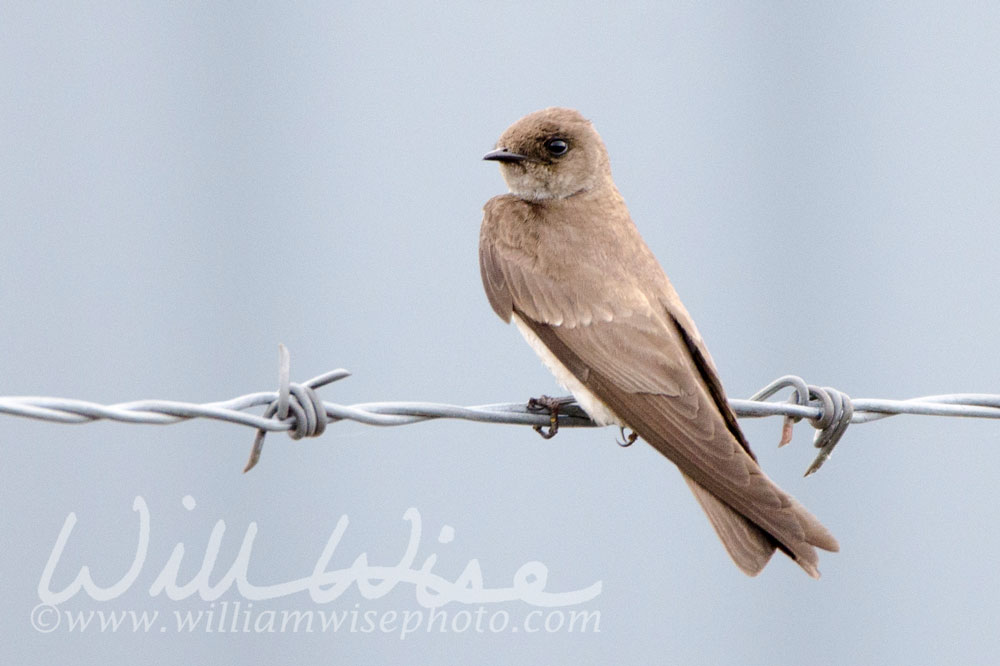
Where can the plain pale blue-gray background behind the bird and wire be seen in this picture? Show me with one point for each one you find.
(184, 186)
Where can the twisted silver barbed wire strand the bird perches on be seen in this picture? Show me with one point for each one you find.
(298, 410)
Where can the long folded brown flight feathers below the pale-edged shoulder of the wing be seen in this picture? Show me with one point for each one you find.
(685, 424)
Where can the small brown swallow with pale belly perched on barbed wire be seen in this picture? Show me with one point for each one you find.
(561, 256)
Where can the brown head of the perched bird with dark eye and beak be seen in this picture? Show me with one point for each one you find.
(551, 154)
